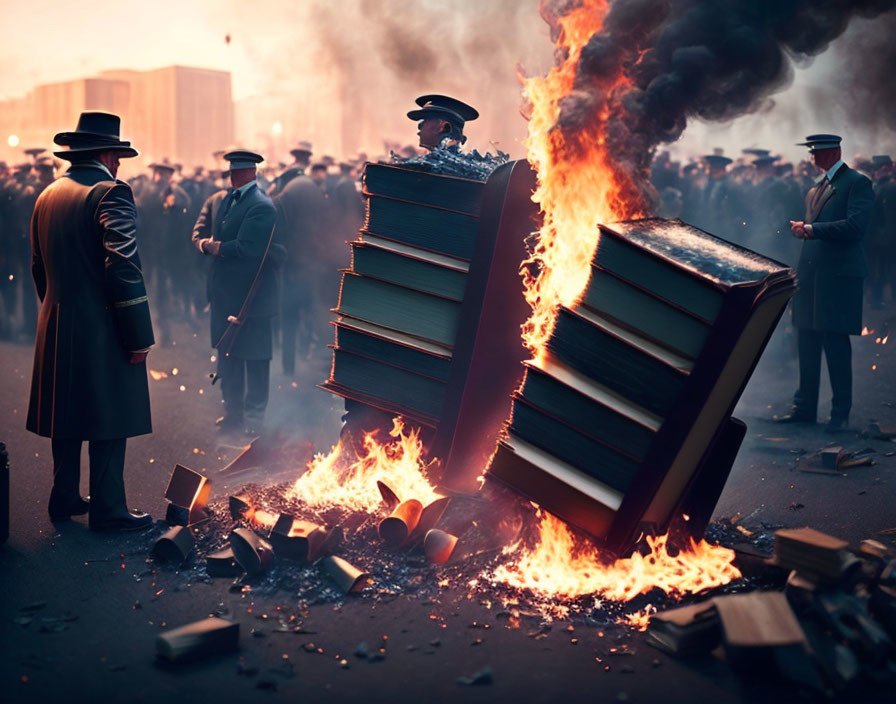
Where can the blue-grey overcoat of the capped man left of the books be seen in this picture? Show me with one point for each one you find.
(243, 228)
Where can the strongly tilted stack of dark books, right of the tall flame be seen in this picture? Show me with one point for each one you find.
(626, 418)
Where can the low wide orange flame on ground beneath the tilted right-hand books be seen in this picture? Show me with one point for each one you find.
(560, 566)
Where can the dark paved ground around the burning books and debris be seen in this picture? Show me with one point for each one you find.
(103, 604)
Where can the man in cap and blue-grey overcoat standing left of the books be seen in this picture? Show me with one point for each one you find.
(242, 290)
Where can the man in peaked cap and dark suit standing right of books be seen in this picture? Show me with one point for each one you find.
(827, 306)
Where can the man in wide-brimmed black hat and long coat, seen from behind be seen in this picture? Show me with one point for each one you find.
(94, 330)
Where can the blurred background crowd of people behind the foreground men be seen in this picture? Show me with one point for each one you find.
(747, 200)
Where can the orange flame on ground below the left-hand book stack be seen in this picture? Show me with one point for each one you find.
(334, 481)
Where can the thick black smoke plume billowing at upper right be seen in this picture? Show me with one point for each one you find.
(709, 59)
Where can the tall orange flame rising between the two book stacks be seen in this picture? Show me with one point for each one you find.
(579, 184)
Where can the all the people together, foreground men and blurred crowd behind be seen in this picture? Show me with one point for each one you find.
(257, 249)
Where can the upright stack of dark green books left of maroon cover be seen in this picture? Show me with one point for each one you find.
(400, 302)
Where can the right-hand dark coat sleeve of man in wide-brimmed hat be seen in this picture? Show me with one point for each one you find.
(125, 289)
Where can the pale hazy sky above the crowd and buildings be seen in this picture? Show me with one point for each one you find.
(279, 41)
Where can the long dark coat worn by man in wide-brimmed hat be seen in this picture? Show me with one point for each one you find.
(94, 311)
